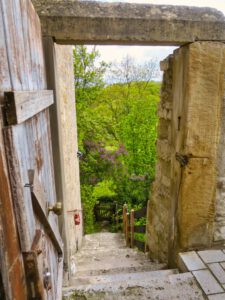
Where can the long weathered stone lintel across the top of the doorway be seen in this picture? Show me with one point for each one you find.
(74, 22)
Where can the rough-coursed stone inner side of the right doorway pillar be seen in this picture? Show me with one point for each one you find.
(159, 205)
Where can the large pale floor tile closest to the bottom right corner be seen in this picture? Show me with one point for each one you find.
(207, 282)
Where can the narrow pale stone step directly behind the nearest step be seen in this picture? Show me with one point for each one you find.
(78, 281)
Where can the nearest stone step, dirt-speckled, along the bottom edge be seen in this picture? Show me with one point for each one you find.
(177, 286)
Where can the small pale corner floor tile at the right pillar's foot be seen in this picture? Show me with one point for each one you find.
(192, 261)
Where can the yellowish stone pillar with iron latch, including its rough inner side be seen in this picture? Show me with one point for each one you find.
(189, 212)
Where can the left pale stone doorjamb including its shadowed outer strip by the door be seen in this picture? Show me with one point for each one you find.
(60, 75)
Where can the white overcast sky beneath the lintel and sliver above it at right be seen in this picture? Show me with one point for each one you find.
(142, 53)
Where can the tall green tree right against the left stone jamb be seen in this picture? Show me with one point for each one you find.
(88, 87)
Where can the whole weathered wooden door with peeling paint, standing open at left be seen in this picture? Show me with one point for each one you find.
(26, 161)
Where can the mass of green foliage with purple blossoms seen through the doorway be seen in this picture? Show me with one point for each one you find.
(116, 130)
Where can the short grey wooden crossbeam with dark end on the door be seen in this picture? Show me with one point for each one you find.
(22, 105)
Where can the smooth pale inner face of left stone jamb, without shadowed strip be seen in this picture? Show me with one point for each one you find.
(68, 142)
